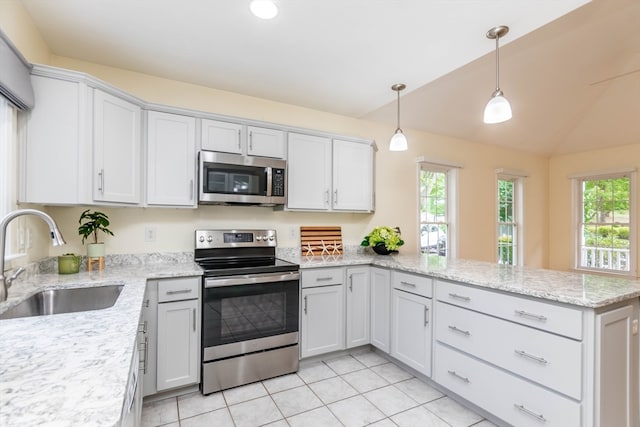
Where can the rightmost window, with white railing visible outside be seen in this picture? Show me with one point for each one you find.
(604, 231)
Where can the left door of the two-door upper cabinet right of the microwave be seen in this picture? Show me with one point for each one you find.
(308, 172)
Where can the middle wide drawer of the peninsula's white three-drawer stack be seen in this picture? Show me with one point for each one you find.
(548, 359)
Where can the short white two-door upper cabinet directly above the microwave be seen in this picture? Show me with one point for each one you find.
(234, 138)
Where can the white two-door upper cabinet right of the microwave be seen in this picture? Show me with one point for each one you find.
(326, 174)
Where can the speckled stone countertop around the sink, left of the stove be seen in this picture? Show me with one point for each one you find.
(72, 369)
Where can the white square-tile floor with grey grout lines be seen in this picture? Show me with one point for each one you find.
(353, 390)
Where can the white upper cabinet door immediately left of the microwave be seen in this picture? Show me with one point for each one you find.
(171, 164)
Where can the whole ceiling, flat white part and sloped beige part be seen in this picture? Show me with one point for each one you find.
(342, 56)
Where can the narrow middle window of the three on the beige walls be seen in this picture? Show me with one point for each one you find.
(509, 218)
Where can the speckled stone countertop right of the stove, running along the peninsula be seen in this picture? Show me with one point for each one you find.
(585, 290)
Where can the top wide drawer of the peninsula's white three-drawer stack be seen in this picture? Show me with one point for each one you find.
(542, 315)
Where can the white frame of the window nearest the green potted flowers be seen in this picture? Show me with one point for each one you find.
(451, 199)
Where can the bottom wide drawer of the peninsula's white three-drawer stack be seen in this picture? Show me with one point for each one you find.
(514, 400)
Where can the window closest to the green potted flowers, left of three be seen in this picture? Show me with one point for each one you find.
(437, 213)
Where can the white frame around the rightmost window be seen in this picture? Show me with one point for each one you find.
(577, 219)
